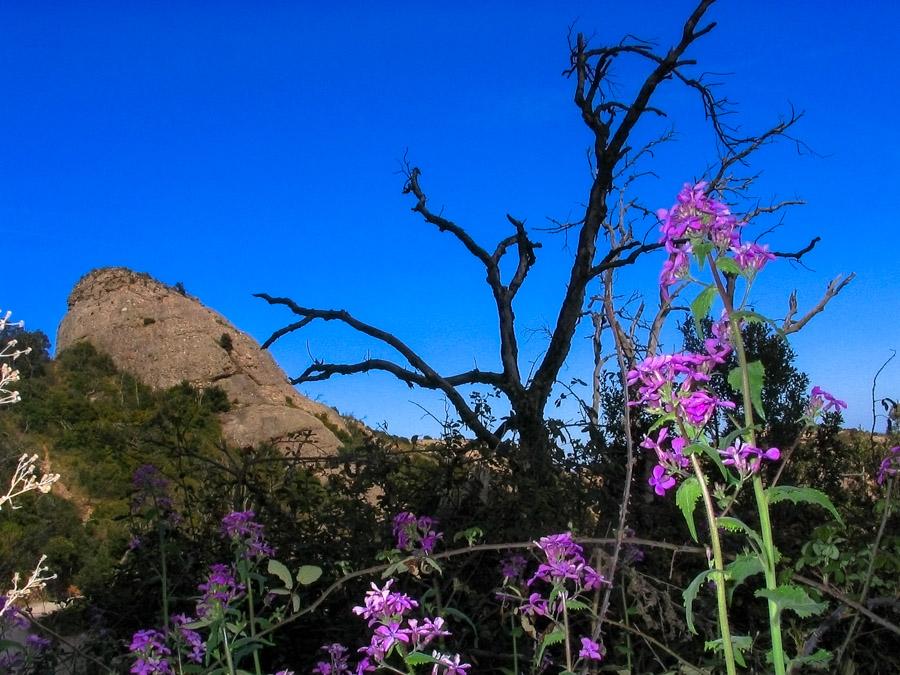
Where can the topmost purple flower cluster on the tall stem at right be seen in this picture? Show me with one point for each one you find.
(696, 218)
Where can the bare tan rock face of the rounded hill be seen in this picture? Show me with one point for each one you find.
(163, 337)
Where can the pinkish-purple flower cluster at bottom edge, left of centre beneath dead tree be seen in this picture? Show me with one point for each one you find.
(386, 611)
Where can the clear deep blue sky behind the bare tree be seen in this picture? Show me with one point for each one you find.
(243, 147)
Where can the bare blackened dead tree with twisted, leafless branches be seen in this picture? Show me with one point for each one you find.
(600, 247)
